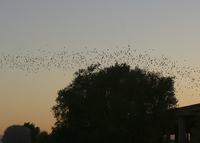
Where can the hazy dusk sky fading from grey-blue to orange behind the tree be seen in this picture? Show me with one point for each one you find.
(43, 42)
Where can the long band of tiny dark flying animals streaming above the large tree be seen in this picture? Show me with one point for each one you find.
(40, 61)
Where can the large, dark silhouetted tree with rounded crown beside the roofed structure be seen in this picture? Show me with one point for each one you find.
(115, 104)
